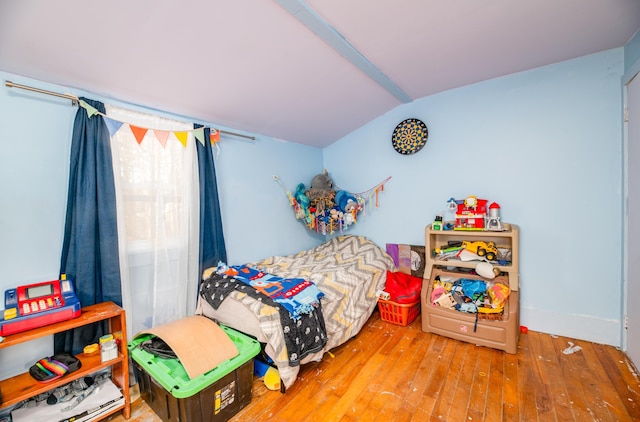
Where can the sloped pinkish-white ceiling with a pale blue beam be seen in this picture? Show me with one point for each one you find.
(307, 72)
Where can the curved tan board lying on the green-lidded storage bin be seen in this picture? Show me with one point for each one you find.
(198, 342)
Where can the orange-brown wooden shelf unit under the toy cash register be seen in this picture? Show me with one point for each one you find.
(23, 386)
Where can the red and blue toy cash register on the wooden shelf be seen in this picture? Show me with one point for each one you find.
(35, 305)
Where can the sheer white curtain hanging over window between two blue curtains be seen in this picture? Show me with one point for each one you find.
(157, 211)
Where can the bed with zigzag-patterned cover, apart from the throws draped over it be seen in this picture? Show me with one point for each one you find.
(348, 270)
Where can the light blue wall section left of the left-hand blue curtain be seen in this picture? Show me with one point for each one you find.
(35, 135)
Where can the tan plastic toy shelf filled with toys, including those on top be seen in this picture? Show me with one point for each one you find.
(474, 250)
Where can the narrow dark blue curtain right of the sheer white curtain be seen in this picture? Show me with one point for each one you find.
(212, 247)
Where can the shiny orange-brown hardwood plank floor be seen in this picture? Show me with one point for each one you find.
(394, 373)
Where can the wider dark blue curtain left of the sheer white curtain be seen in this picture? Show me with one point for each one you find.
(90, 249)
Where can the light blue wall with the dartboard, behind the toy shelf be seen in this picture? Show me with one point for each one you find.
(546, 145)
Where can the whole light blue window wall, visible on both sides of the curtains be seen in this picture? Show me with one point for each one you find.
(35, 139)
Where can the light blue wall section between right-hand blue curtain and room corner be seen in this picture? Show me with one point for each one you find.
(258, 221)
